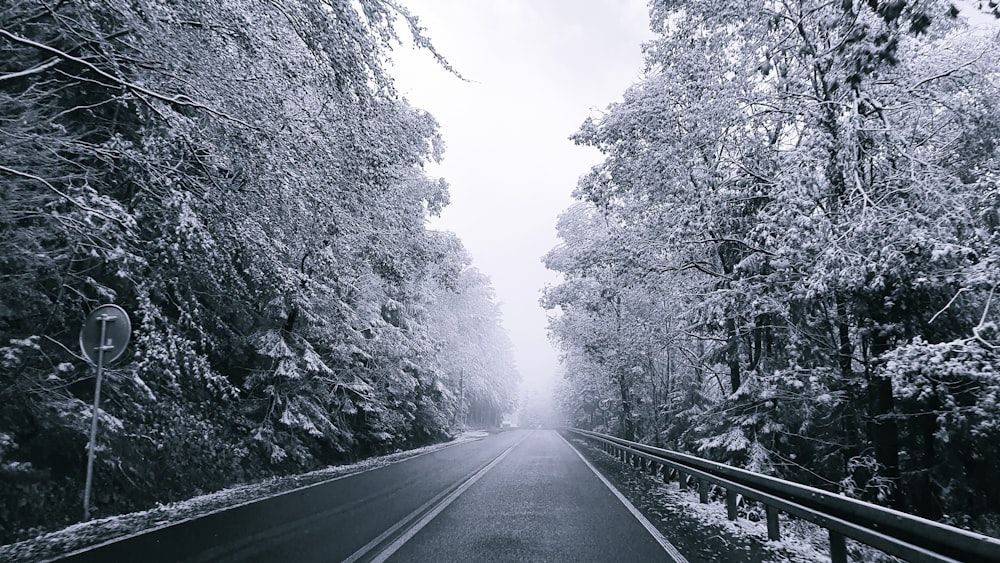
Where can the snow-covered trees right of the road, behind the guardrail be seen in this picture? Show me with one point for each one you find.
(788, 258)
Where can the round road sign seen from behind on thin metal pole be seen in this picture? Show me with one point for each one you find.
(103, 338)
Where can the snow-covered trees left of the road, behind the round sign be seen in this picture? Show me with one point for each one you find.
(241, 177)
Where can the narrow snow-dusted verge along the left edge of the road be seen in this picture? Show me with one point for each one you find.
(83, 534)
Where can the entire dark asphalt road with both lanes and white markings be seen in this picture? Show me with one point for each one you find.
(522, 495)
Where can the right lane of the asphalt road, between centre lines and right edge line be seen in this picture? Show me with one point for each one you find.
(541, 503)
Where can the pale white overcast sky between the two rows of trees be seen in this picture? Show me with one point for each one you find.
(539, 68)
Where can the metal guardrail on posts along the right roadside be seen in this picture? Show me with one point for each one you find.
(893, 532)
